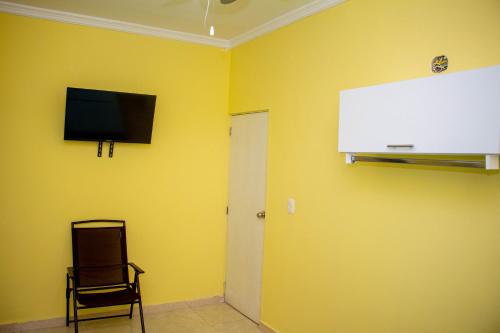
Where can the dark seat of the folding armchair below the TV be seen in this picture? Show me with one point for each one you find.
(109, 298)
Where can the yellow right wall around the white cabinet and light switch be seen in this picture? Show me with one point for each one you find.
(371, 248)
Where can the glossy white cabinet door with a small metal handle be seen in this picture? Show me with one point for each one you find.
(456, 113)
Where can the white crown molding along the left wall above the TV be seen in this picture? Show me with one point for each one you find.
(56, 15)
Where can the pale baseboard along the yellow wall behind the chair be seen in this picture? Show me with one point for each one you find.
(148, 309)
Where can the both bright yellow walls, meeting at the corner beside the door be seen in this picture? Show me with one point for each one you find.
(370, 249)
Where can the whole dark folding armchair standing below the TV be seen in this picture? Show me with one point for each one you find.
(99, 276)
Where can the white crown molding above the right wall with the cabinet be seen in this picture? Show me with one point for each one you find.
(285, 19)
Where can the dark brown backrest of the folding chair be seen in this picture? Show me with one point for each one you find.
(99, 253)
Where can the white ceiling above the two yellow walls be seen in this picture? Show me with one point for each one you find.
(187, 16)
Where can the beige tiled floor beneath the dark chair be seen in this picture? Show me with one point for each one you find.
(214, 318)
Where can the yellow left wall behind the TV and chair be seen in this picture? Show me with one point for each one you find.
(172, 193)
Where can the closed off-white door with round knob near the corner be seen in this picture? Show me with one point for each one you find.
(245, 229)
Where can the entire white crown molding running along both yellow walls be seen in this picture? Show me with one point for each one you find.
(67, 17)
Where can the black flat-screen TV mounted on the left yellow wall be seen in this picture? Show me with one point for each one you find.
(97, 115)
